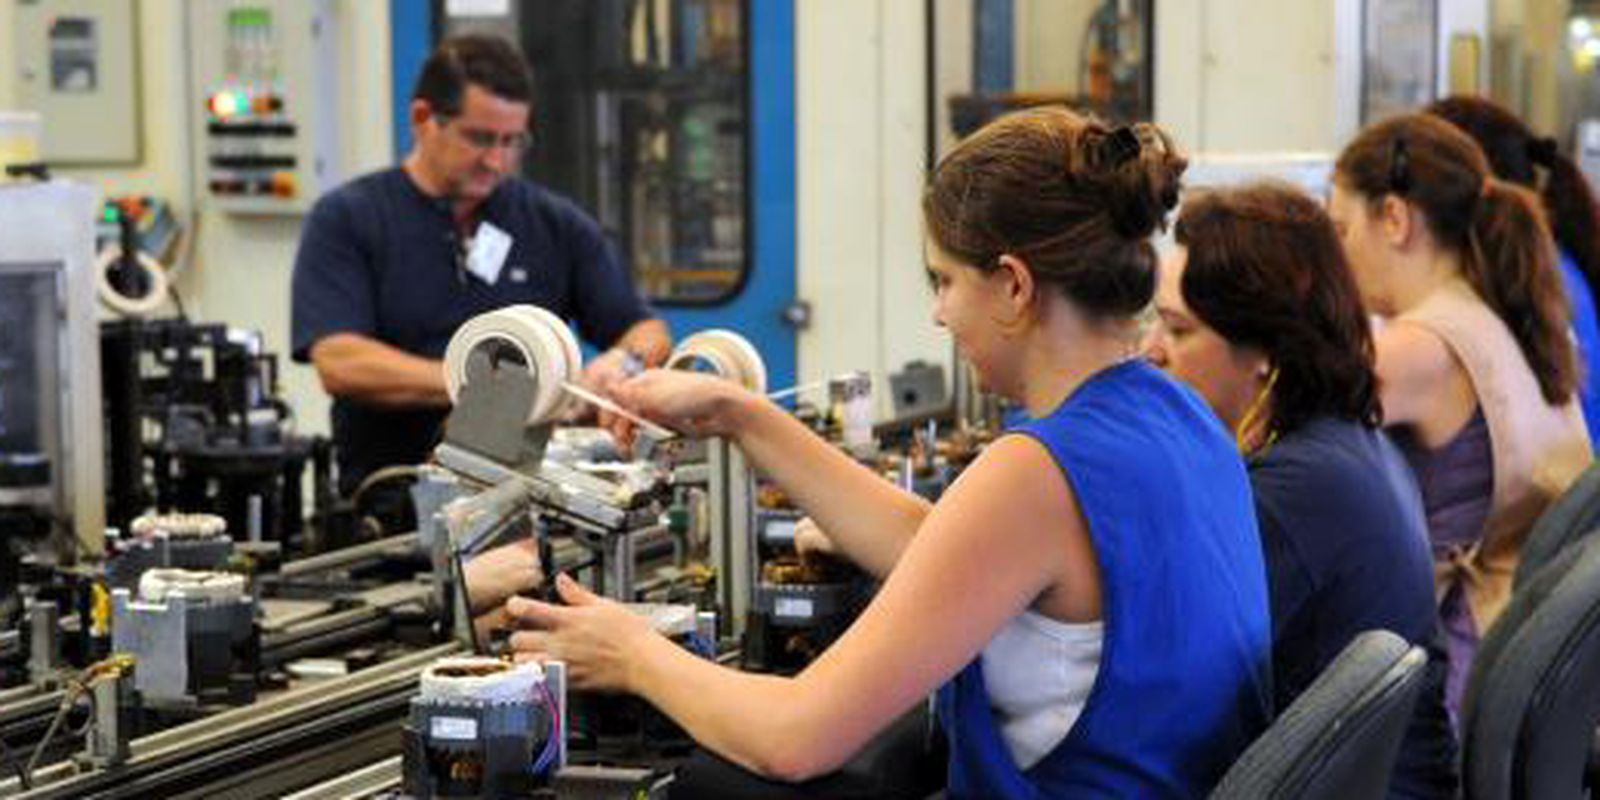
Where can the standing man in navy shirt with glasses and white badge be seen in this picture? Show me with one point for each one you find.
(393, 263)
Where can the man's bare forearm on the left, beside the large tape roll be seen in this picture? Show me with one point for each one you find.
(377, 374)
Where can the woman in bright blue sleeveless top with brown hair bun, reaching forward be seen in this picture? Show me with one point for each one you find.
(1089, 599)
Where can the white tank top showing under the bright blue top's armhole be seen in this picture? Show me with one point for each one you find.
(1039, 674)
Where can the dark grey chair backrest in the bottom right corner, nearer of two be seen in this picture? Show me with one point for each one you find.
(1532, 719)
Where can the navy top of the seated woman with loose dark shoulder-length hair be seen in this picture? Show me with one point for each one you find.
(1346, 545)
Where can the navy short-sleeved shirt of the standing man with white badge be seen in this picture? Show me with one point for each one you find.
(380, 258)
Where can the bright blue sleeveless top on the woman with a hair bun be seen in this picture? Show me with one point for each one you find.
(1185, 678)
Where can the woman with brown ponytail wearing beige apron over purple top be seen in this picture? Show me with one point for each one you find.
(1476, 366)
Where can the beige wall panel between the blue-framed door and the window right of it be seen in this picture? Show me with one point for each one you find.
(860, 130)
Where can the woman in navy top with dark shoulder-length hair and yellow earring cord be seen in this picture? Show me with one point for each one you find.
(1262, 316)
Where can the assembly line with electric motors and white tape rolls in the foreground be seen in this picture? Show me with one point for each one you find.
(215, 671)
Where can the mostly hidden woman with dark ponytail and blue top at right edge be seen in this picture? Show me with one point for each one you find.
(1537, 162)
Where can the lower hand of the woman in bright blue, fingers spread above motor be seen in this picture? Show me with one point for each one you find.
(598, 639)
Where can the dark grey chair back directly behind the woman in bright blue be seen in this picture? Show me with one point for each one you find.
(1340, 738)
